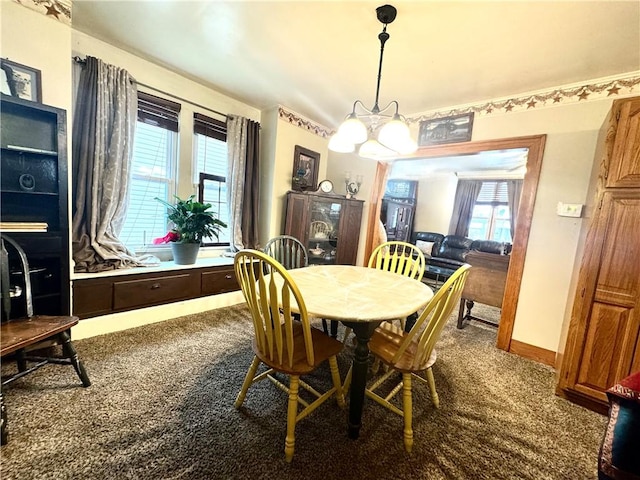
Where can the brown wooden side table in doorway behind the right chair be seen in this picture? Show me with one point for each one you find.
(485, 283)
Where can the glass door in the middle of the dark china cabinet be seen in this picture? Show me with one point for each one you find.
(324, 221)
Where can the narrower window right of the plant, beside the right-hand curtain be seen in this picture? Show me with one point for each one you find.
(210, 169)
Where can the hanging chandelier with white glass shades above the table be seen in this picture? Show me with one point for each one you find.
(389, 132)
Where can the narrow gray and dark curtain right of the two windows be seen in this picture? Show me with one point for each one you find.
(243, 143)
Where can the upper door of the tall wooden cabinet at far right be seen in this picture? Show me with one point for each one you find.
(624, 167)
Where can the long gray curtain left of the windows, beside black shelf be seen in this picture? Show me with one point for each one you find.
(103, 129)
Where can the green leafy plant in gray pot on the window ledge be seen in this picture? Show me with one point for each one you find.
(192, 221)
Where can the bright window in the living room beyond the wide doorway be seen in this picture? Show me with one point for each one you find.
(491, 215)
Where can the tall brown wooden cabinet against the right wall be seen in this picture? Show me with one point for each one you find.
(603, 339)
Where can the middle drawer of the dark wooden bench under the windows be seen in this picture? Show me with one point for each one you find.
(154, 291)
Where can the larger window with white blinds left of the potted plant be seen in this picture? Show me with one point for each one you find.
(153, 170)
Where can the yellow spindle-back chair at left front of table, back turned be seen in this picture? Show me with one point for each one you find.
(283, 345)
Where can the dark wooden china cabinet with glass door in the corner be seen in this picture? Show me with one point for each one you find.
(327, 225)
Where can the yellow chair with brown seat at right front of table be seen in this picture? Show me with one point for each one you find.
(412, 353)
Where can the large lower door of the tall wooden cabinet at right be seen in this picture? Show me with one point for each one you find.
(612, 312)
